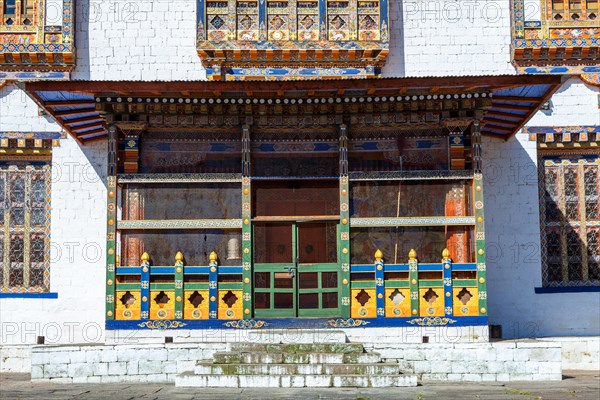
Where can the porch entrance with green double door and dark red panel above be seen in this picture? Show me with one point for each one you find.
(295, 250)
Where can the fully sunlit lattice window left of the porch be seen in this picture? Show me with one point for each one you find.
(24, 226)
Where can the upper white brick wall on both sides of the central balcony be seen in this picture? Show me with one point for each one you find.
(156, 40)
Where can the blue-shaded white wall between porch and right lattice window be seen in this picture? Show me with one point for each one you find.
(513, 250)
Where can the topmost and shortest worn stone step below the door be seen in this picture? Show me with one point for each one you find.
(297, 348)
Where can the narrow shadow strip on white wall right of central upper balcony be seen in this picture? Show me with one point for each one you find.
(395, 65)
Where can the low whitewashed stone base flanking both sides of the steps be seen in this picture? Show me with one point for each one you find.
(157, 363)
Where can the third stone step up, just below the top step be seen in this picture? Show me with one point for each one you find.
(295, 358)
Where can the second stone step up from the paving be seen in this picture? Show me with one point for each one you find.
(296, 369)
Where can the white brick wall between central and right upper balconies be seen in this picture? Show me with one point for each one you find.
(443, 37)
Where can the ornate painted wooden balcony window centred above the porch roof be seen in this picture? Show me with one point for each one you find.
(291, 33)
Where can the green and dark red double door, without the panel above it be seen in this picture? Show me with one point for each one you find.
(296, 270)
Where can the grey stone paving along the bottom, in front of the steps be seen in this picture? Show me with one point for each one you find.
(580, 385)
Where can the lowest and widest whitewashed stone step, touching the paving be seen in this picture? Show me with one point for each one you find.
(189, 379)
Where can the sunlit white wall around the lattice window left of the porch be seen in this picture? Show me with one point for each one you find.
(78, 232)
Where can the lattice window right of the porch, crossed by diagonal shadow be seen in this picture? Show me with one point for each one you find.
(570, 199)
